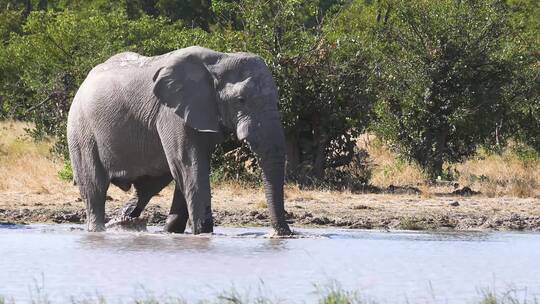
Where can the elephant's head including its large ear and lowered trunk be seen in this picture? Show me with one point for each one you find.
(235, 91)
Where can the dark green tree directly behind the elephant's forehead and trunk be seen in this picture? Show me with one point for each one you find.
(322, 91)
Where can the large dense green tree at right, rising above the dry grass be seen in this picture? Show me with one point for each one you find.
(442, 70)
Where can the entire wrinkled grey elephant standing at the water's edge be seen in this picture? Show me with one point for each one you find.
(144, 121)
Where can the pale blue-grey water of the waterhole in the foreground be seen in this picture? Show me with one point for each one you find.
(390, 267)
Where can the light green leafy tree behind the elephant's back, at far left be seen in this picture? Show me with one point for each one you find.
(44, 65)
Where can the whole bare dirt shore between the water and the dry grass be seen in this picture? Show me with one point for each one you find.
(235, 206)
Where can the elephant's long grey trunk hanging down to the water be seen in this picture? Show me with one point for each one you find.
(270, 149)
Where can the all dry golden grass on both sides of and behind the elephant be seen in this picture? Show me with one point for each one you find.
(26, 166)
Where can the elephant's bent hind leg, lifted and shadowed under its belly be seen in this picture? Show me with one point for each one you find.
(145, 188)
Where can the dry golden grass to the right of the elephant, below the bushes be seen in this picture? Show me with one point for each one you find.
(494, 175)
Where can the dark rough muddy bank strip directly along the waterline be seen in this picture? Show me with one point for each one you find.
(155, 215)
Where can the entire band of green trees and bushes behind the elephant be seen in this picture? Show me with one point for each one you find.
(435, 80)
